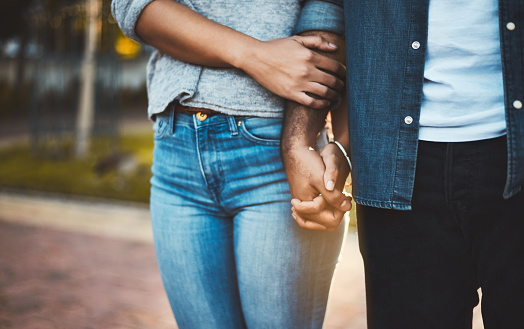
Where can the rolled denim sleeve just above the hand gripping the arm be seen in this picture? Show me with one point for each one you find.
(326, 15)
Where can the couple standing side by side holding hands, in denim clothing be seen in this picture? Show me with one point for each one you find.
(426, 100)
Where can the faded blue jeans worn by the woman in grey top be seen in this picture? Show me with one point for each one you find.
(230, 254)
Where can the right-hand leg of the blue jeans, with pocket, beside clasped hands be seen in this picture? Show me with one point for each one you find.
(284, 271)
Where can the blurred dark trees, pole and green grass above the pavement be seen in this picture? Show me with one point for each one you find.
(72, 101)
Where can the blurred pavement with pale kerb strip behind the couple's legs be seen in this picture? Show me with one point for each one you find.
(68, 264)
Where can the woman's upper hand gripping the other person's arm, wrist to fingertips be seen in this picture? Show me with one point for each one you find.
(289, 68)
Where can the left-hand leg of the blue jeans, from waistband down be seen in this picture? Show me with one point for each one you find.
(193, 237)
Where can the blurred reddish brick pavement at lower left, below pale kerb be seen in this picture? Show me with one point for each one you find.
(62, 280)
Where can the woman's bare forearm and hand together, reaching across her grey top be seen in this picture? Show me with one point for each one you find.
(287, 67)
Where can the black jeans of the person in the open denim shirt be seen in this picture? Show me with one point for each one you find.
(423, 266)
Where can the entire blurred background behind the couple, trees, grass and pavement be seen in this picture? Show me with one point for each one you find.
(75, 154)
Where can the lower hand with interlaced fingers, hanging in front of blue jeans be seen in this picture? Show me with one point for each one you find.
(305, 170)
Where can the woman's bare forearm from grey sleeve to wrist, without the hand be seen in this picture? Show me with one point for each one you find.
(191, 37)
